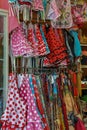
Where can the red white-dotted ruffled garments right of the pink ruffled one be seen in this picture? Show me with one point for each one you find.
(36, 40)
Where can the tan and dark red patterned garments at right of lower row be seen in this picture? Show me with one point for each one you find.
(69, 106)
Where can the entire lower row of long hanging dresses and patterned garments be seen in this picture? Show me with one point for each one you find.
(40, 102)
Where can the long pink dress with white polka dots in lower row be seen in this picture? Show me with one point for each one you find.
(33, 118)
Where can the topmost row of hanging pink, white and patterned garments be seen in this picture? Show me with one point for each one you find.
(61, 13)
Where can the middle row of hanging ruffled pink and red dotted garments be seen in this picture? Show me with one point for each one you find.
(55, 45)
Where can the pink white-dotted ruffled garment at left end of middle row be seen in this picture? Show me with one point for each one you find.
(19, 43)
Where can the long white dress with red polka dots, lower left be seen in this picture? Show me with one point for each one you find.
(15, 114)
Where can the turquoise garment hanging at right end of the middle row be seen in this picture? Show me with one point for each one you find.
(77, 47)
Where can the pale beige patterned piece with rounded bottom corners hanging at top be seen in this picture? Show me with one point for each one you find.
(65, 19)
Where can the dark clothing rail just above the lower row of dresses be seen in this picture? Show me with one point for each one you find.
(39, 71)
